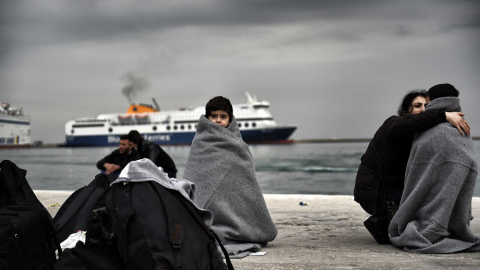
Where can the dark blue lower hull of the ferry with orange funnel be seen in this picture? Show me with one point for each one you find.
(274, 135)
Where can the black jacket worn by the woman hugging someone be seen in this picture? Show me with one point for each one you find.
(392, 142)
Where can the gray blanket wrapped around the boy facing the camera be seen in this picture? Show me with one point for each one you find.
(221, 166)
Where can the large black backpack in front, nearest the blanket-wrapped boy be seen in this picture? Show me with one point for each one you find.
(157, 228)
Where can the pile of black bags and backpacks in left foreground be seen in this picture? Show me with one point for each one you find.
(128, 225)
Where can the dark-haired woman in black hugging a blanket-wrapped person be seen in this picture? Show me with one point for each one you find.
(382, 169)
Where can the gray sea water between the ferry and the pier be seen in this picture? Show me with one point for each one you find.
(298, 168)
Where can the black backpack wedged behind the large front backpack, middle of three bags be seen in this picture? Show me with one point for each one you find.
(85, 210)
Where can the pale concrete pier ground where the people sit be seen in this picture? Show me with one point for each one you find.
(328, 233)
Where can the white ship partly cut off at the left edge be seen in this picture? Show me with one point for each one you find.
(14, 127)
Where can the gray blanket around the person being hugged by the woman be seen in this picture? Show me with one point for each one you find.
(435, 210)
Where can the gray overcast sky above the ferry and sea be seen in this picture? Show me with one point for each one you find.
(334, 68)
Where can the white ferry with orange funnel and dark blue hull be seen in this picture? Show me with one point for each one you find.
(174, 127)
